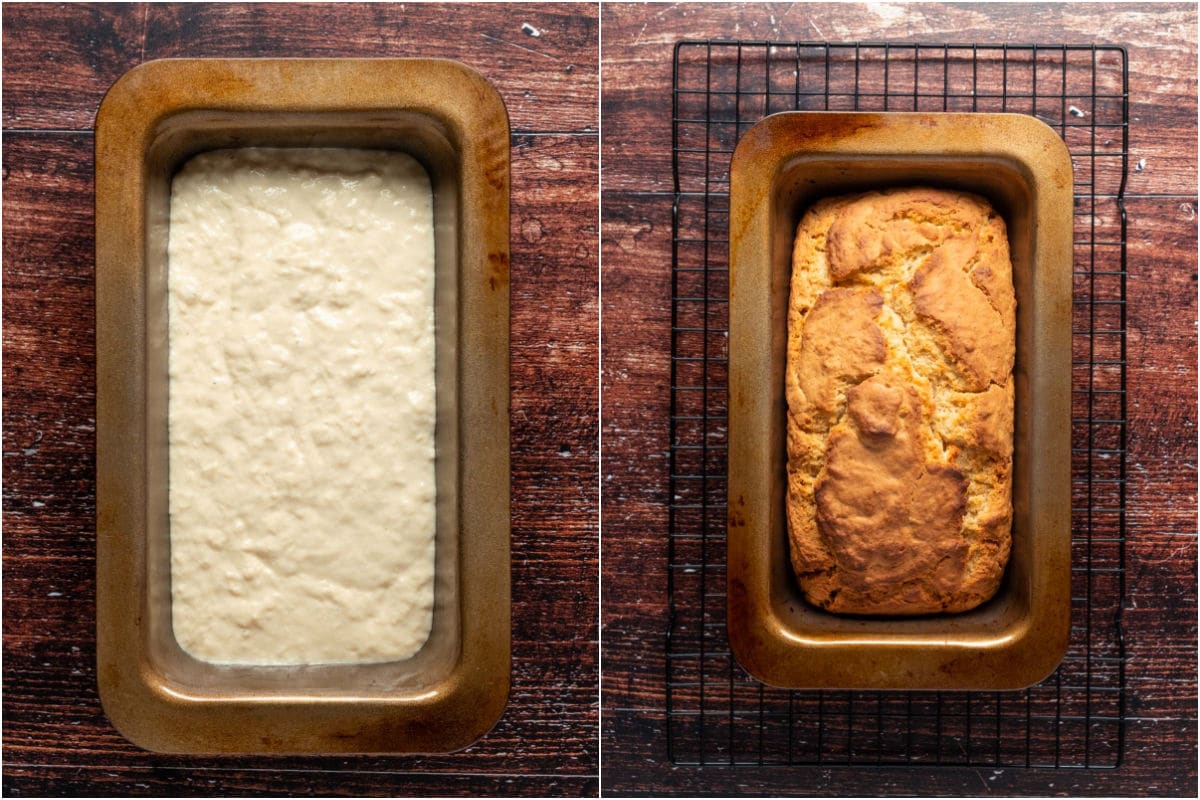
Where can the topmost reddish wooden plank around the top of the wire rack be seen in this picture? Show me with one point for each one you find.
(639, 44)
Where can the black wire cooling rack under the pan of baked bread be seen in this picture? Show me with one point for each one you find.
(717, 714)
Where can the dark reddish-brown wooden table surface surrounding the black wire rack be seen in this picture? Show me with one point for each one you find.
(1161, 603)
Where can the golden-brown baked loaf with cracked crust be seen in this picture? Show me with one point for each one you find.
(902, 335)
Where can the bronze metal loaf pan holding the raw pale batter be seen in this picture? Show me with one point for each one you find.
(452, 121)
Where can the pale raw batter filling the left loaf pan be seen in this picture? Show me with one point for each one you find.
(302, 406)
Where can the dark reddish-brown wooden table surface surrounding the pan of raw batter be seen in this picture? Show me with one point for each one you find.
(58, 63)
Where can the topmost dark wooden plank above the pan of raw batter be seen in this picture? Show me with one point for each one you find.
(59, 61)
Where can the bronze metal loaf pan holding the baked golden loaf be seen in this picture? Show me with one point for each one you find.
(781, 167)
